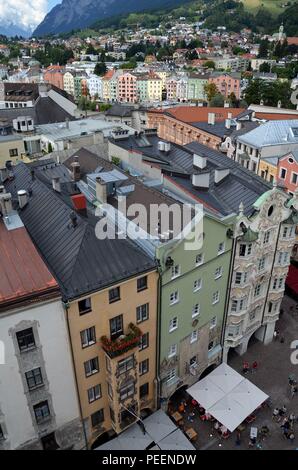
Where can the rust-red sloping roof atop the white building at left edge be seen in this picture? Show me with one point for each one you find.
(23, 275)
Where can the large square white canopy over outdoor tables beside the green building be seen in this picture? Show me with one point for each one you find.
(227, 396)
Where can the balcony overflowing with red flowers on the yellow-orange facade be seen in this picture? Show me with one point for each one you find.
(124, 343)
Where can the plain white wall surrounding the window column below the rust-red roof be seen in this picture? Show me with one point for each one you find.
(56, 353)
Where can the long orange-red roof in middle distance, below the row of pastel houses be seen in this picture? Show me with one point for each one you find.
(200, 114)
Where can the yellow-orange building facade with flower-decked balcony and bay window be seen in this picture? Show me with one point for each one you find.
(120, 379)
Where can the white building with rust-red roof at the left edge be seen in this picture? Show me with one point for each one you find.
(38, 401)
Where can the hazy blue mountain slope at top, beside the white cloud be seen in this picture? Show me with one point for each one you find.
(78, 14)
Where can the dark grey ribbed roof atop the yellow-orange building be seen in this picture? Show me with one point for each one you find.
(80, 262)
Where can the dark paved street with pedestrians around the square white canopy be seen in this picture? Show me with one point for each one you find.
(271, 377)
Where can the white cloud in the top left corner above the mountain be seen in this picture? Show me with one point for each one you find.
(24, 14)
